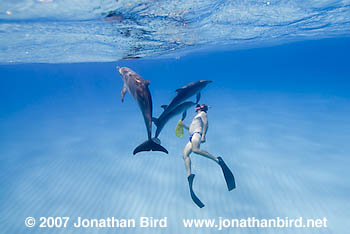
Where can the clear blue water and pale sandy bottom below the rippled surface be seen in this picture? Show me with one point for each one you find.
(279, 117)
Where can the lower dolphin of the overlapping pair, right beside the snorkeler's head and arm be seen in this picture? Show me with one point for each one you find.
(163, 119)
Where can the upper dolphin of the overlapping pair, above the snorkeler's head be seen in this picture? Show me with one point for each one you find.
(185, 93)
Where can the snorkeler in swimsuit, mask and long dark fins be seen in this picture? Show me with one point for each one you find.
(198, 130)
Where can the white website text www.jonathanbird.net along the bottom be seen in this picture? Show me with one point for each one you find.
(252, 222)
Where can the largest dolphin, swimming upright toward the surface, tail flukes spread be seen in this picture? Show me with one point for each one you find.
(138, 88)
